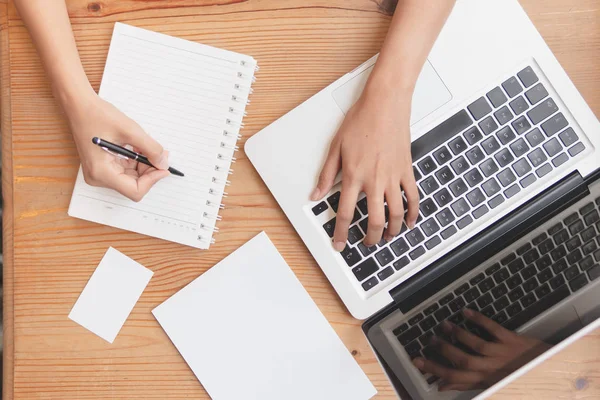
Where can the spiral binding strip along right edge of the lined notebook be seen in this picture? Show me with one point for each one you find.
(242, 89)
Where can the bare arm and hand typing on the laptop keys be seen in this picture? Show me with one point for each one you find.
(372, 146)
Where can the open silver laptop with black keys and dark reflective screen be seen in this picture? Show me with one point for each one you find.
(501, 140)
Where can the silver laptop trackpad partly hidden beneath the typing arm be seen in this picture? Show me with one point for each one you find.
(430, 92)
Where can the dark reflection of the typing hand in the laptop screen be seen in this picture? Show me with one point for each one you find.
(479, 363)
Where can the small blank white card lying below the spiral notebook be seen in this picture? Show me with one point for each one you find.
(110, 294)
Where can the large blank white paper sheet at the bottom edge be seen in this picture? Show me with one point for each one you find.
(249, 330)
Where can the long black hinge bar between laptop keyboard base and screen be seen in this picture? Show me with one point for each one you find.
(518, 223)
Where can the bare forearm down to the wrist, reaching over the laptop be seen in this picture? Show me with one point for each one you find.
(414, 28)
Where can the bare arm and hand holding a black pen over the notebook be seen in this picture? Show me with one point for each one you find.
(88, 115)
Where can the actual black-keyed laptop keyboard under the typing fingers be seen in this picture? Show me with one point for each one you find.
(468, 165)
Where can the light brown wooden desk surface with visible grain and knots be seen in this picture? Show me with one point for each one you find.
(301, 45)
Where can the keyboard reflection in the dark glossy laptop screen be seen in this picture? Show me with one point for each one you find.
(535, 276)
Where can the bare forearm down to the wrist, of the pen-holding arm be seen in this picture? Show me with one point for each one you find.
(49, 26)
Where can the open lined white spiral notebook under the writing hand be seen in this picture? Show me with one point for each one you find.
(192, 99)
